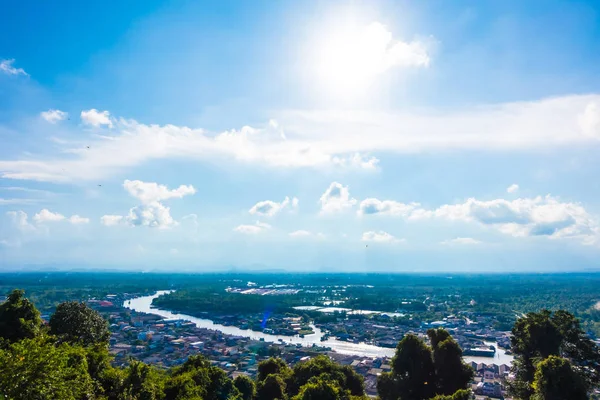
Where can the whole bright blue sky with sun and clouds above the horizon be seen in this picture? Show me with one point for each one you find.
(329, 136)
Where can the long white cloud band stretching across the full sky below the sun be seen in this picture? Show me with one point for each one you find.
(325, 138)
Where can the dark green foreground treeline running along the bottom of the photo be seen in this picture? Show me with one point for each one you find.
(69, 360)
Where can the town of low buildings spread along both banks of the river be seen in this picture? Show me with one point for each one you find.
(169, 342)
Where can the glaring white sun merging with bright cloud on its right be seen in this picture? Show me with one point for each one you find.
(350, 58)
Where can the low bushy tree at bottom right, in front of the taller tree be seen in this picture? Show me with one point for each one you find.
(555, 379)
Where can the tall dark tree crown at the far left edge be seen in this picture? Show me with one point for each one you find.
(19, 319)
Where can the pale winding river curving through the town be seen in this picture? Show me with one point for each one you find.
(144, 304)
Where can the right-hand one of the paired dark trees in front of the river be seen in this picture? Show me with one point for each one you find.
(451, 373)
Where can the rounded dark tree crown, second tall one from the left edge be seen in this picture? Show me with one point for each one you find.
(75, 322)
